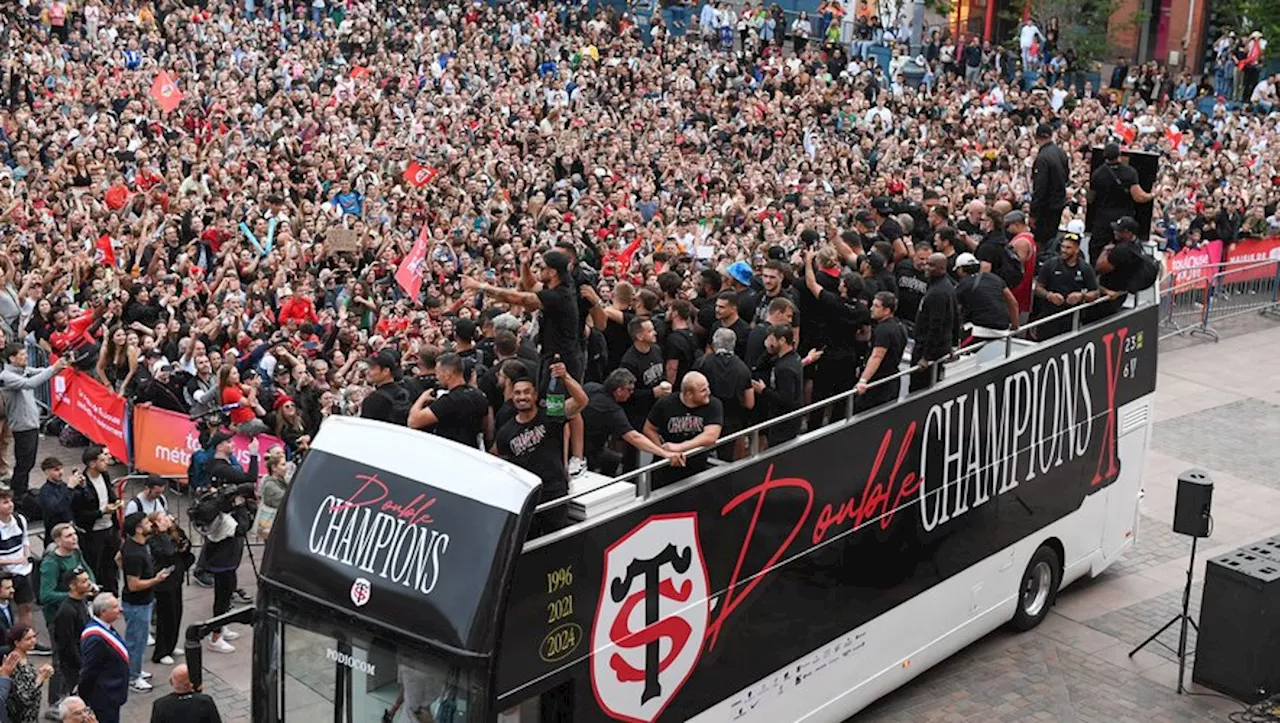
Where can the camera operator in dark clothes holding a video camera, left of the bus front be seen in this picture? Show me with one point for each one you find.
(223, 516)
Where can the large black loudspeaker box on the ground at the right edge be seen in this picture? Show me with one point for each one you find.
(1238, 647)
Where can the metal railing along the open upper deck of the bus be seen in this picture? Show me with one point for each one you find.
(1008, 340)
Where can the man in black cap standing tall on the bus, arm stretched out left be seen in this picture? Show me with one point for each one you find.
(552, 295)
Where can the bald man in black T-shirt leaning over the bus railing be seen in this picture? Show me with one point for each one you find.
(685, 422)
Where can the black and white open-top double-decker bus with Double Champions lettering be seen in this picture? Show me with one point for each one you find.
(798, 584)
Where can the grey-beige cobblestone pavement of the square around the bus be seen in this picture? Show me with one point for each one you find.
(1075, 669)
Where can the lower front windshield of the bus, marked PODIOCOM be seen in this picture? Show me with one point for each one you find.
(328, 670)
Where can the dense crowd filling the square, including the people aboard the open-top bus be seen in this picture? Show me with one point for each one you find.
(651, 239)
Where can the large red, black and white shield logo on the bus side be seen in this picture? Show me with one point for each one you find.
(652, 617)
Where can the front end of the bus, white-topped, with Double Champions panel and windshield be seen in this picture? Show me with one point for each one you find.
(385, 579)
